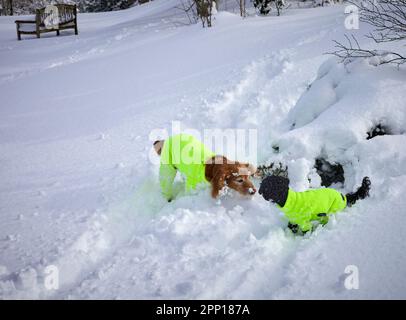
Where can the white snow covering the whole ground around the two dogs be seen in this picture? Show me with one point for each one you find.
(78, 190)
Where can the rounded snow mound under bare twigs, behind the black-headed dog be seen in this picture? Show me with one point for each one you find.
(343, 104)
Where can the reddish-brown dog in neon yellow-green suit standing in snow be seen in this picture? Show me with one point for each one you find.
(184, 153)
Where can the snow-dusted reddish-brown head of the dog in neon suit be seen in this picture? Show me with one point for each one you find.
(221, 172)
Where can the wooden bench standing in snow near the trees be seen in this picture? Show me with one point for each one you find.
(52, 18)
